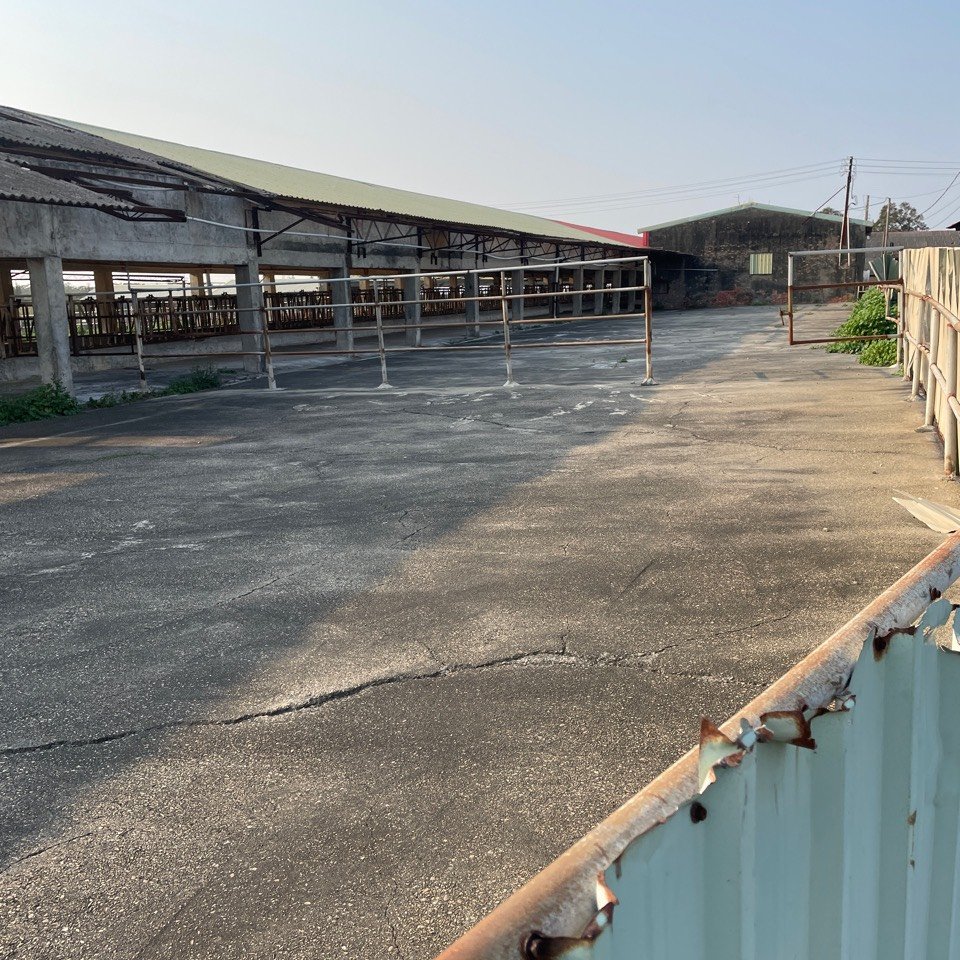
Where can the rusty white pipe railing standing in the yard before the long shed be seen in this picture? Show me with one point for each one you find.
(340, 293)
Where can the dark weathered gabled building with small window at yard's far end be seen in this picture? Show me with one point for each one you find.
(747, 246)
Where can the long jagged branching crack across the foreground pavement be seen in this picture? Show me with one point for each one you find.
(554, 655)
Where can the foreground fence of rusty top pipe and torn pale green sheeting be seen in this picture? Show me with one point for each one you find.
(820, 821)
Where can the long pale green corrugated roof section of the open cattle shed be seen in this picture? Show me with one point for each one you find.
(298, 184)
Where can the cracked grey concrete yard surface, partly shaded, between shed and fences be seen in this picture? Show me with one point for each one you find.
(329, 671)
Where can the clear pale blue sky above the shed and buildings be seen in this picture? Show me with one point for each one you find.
(525, 103)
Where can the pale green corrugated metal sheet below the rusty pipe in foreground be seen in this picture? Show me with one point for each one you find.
(849, 851)
